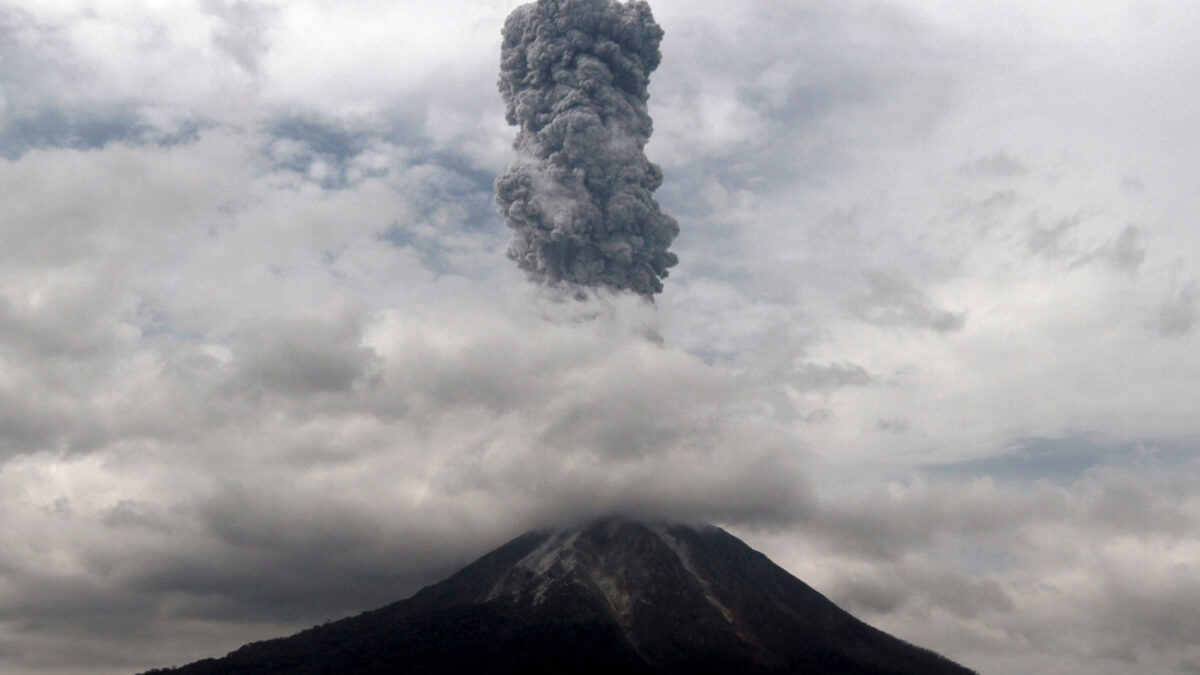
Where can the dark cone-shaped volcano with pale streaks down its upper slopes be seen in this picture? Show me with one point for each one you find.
(616, 596)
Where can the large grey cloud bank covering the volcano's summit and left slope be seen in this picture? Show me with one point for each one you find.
(362, 456)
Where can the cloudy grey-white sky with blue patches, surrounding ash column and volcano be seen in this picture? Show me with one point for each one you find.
(931, 344)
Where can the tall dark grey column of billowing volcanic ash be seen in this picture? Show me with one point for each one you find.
(574, 75)
